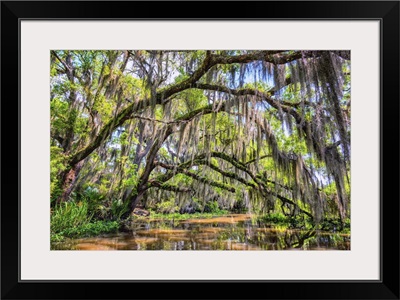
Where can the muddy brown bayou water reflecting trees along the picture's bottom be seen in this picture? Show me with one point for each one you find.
(232, 232)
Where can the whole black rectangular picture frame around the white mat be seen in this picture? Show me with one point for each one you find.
(386, 288)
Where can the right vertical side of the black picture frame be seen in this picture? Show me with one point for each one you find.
(390, 50)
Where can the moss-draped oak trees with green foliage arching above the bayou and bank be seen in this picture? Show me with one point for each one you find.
(267, 129)
